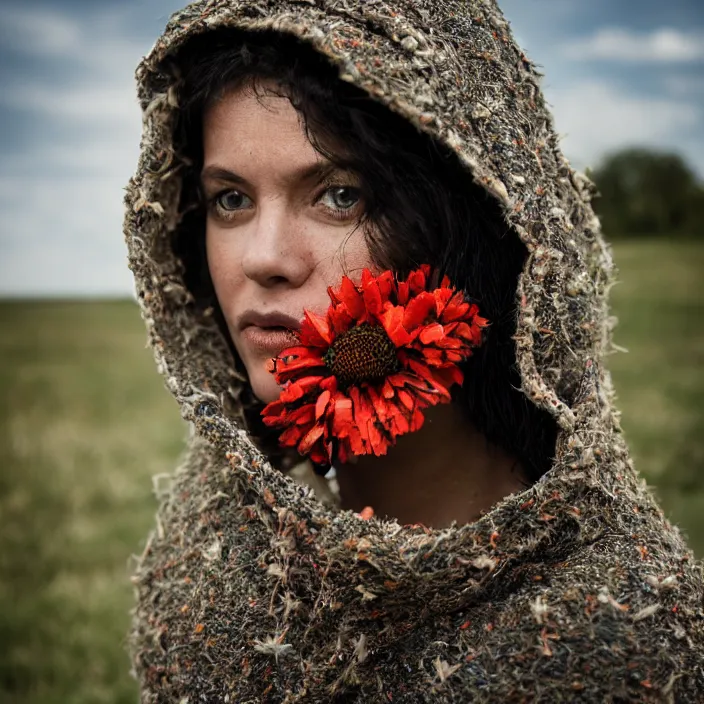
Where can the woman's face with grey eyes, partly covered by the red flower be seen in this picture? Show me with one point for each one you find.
(280, 228)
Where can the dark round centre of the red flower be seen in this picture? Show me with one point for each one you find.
(363, 353)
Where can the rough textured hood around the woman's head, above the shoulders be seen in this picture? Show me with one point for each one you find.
(453, 71)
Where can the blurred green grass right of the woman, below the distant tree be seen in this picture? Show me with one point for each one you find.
(660, 381)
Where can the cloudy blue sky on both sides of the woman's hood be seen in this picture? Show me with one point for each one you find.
(617, 73)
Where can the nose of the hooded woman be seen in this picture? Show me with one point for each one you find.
(275, 251)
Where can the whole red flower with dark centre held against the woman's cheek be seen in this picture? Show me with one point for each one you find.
(362, 375)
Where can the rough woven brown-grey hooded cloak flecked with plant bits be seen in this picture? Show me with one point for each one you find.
(253, 589)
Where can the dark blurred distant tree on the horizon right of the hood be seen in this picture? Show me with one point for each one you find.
(648, 193)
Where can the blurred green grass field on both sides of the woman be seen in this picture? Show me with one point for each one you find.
(85, 424)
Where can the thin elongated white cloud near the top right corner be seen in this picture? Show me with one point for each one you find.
(664, 45)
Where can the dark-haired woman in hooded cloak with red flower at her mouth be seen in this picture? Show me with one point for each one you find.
(490, 540)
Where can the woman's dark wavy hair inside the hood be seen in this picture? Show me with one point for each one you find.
(422, 206)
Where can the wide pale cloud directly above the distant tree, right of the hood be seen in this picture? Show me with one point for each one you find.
(596, 117)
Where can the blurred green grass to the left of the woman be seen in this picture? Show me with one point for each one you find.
(84, 424)
